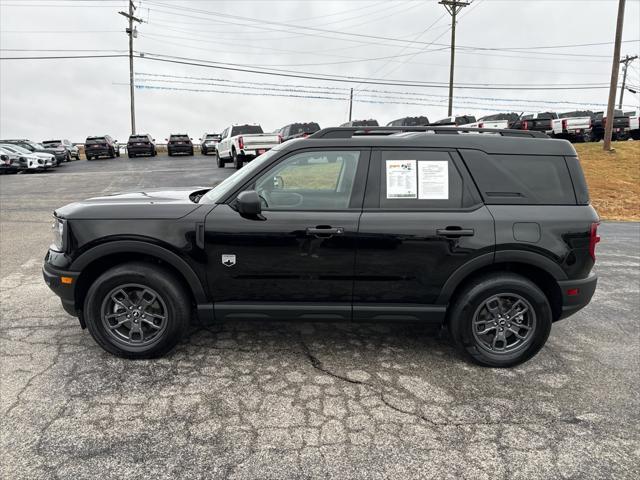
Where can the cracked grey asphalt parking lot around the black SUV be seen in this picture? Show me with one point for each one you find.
(312, 400)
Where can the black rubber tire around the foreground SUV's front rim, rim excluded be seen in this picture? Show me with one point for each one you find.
(172, 297)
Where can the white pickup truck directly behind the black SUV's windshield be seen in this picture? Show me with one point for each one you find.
(242, 143)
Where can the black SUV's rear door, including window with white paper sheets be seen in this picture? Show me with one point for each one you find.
(422, 220)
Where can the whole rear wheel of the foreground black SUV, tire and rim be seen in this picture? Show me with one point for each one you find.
(500, 320)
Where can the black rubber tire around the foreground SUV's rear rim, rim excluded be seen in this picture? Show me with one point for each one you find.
(469, 302)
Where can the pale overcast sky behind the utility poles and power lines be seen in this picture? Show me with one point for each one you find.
(383, 39)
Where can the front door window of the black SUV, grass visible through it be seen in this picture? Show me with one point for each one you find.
(314, 180)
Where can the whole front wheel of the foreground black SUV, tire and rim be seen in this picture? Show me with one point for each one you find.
(137, 310)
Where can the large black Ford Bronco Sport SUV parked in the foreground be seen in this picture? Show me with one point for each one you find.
(490, 235)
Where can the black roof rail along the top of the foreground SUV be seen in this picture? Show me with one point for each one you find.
(348, 132)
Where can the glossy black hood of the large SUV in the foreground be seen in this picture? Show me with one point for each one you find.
(149, 204)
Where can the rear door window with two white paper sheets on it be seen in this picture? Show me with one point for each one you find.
(419, 179)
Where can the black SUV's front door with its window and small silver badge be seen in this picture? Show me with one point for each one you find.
(297, 259)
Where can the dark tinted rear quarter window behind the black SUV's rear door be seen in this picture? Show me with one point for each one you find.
(521, 179)
